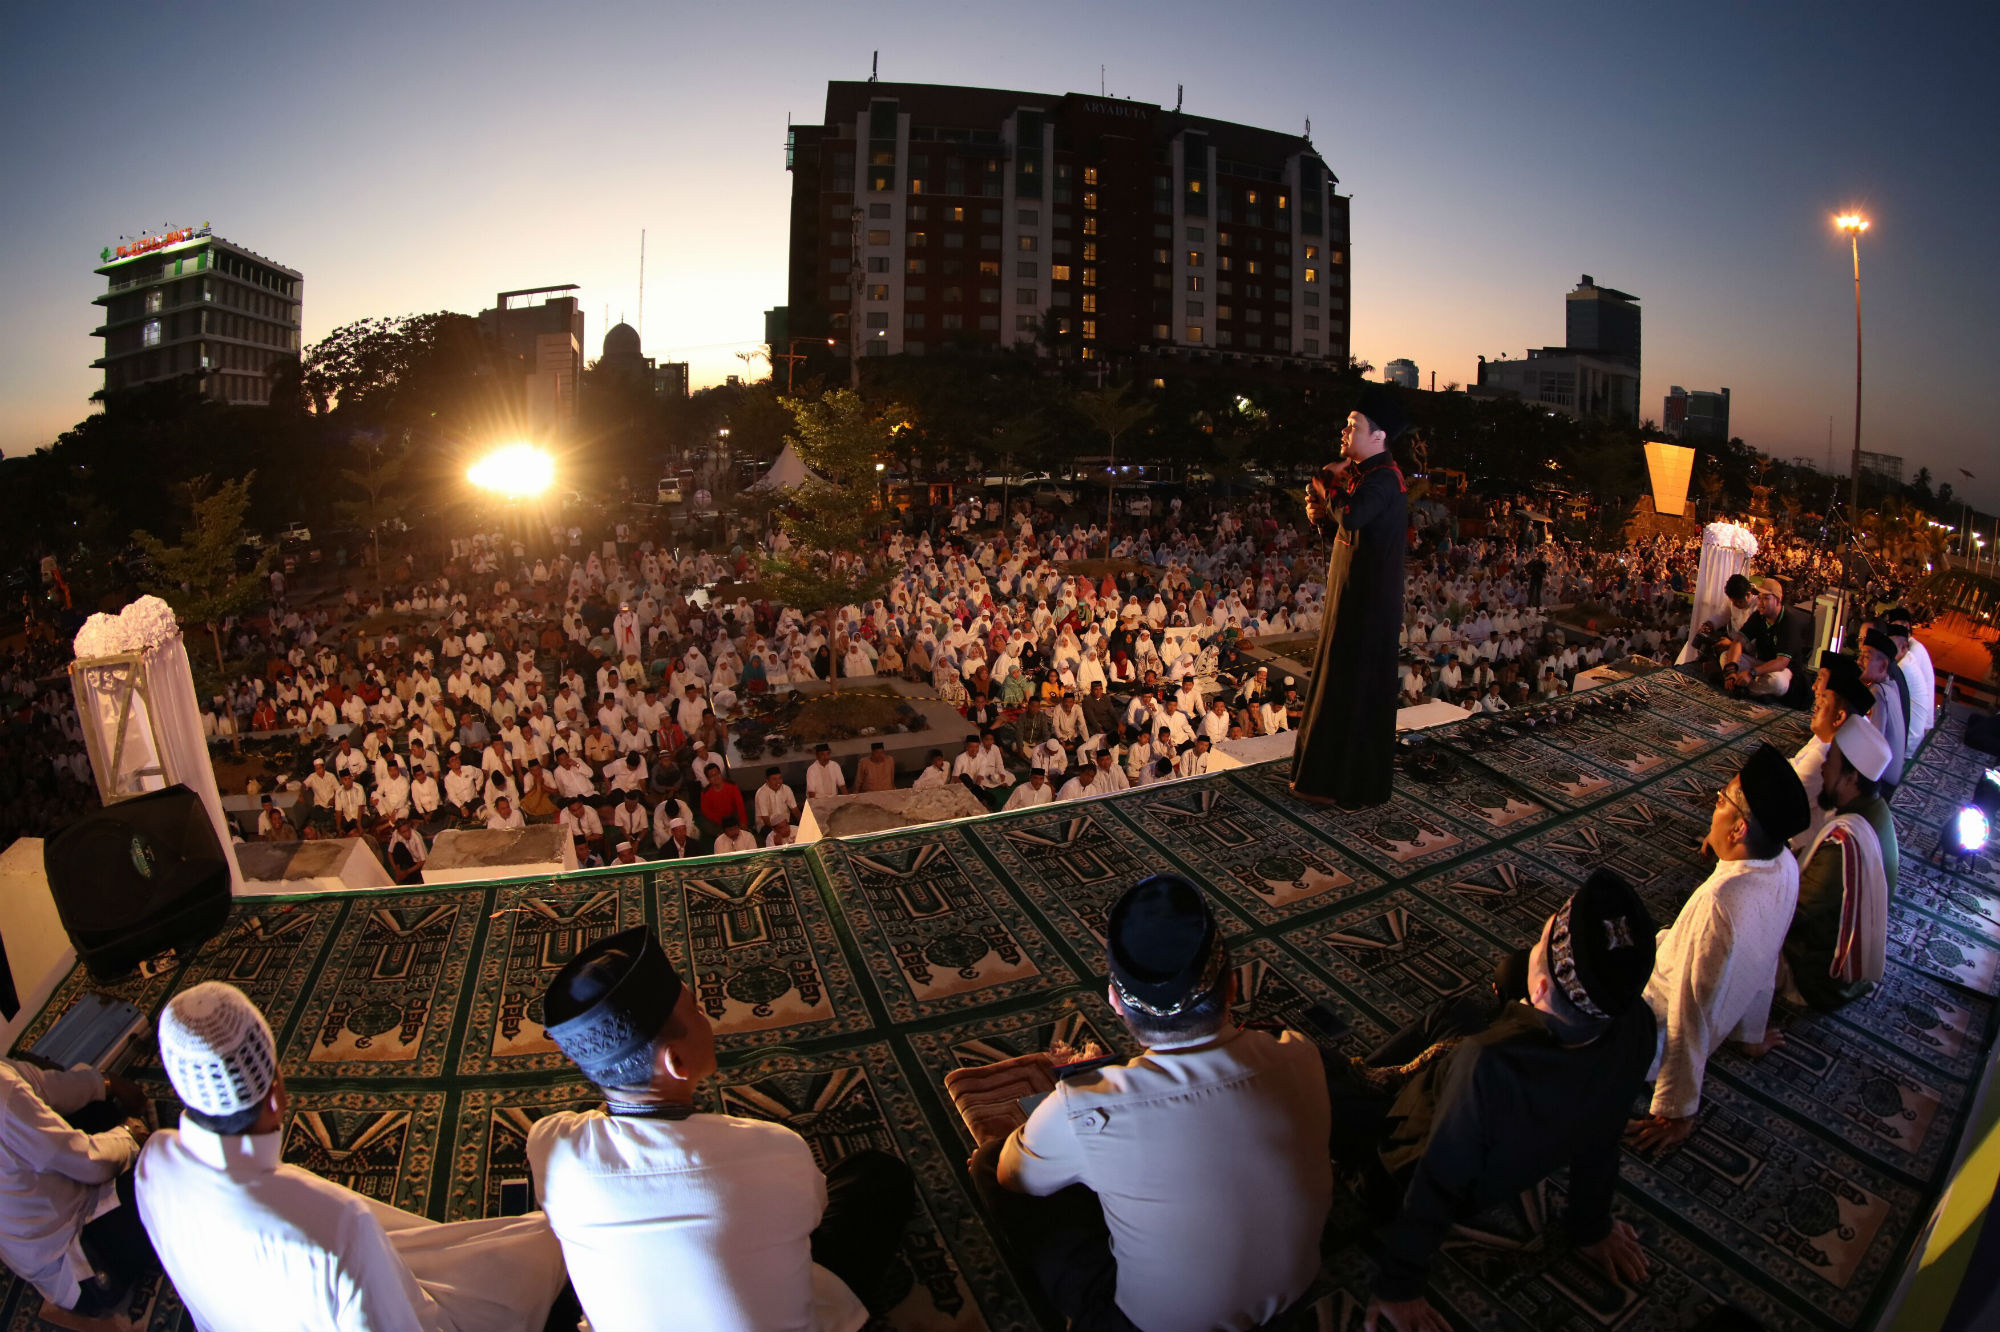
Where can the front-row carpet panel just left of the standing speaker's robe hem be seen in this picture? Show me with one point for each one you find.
(1261, 863)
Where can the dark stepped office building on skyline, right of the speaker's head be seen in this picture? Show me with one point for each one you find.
(1595, 375)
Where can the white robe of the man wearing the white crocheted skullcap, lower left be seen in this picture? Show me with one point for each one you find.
(253, 1243)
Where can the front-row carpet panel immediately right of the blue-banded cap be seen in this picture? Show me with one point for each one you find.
(759, 945)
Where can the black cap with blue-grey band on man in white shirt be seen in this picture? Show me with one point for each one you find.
(609, 1005)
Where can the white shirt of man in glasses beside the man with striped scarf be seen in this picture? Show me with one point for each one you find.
(1715, 969)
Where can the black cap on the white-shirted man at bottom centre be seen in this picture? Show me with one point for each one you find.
(1163, 947)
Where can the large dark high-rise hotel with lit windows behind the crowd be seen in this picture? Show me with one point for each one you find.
(929, 217)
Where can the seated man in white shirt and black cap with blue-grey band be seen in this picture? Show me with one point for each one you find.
(671, 1219)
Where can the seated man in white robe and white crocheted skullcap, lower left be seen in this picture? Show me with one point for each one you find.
(253, 1243)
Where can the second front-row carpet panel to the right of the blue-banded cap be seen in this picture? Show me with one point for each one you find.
(937, 929)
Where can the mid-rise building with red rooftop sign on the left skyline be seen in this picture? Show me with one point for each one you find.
(189, 303)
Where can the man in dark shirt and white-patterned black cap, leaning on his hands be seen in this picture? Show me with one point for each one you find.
(1493, 1093)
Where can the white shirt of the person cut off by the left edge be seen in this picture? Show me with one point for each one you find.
(53, 1179)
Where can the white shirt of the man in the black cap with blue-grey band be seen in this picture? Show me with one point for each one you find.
(701, 1223)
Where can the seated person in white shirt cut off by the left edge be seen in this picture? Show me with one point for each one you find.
(69, 1223)
